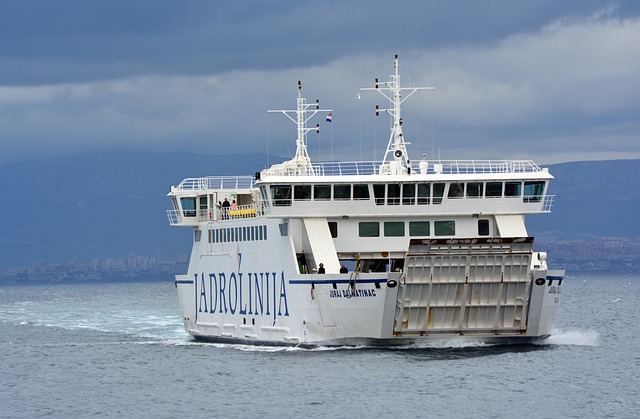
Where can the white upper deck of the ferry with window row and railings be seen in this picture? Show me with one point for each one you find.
(452, 188)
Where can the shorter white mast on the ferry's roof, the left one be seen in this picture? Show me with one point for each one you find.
(301, 163)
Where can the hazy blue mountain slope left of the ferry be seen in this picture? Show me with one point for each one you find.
(108, 204)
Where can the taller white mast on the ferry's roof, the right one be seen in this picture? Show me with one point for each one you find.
(396, 159)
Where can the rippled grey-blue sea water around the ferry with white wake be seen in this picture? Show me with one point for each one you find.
(119, 350)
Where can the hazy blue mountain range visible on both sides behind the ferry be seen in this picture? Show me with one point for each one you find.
(112, 203)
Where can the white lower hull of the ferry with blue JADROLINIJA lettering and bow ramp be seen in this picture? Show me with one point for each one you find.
(252, 292)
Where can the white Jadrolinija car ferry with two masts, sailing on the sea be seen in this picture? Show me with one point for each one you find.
(396, 252)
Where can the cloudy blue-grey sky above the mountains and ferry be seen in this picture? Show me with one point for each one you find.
(546, 80)
